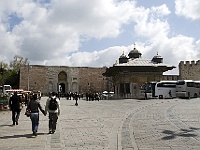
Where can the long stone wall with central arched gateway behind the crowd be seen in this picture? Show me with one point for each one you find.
(63, 79)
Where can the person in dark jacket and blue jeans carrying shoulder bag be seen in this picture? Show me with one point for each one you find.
(34, 106)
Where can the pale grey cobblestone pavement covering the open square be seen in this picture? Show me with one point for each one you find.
(170, 124)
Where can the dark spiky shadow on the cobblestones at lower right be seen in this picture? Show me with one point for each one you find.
(183, 133)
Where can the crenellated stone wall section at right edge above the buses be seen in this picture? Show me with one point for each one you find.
(189, 70)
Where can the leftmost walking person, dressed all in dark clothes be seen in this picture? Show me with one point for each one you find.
(15, 106)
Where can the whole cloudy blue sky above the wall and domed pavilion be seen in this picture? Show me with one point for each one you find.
(94, 33)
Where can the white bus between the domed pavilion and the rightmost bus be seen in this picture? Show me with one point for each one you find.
(165, 89)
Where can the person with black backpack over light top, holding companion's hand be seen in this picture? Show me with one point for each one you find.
(53, 108)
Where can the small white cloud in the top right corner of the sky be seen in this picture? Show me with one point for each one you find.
(188, 8)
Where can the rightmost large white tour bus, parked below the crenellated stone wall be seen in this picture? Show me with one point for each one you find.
(186, 89)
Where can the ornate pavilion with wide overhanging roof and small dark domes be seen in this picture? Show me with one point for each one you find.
(130, 74)
